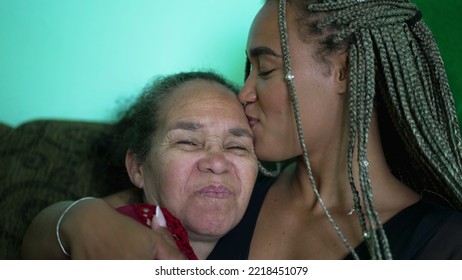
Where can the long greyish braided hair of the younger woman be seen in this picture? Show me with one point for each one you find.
(396, 69)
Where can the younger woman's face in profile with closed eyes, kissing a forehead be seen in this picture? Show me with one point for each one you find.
(269, 108)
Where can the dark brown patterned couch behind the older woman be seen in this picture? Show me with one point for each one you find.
(42, 162)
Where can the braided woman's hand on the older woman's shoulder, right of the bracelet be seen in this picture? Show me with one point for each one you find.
(94, 230)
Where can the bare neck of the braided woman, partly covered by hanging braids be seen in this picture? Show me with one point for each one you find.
(329, 168)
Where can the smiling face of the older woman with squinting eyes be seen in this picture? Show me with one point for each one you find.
(202, 165)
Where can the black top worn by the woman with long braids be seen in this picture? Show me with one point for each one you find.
(424, 230)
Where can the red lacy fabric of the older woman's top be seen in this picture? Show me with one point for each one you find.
(143, 213)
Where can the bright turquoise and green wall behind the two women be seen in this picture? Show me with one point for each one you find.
(80, 59)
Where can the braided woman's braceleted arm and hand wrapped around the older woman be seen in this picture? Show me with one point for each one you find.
(92, 229)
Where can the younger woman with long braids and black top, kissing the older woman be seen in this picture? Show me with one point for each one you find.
(352, 96)
